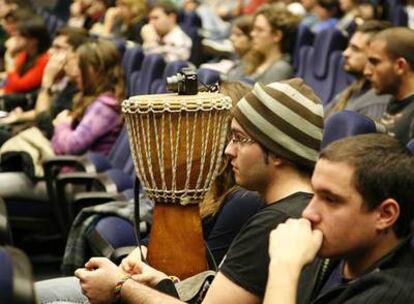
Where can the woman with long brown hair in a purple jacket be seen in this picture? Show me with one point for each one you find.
(93, 124)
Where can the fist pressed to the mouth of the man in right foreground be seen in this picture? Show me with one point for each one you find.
(294, 243)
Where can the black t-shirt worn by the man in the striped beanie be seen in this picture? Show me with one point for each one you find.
(247, 261)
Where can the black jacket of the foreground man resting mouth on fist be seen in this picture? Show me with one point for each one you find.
(390, 280)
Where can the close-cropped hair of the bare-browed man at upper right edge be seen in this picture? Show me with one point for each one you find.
(399, 43)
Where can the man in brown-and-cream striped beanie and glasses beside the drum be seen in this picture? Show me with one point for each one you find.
(276, 135)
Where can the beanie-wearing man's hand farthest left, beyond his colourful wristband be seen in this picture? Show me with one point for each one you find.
(98, 280)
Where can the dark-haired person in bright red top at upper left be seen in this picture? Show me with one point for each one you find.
(31, 61)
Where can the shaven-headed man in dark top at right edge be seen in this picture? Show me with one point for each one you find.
(390, 69)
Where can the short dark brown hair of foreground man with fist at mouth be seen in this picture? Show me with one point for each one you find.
(384, 168)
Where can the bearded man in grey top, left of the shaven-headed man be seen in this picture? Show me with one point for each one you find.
(359, 96)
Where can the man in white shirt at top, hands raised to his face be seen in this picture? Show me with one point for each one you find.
(162, 34)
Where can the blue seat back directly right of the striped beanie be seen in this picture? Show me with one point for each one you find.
(348, 123)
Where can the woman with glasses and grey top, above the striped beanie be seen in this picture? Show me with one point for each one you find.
(273, 36)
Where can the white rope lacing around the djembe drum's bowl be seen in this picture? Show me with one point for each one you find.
(213, 131)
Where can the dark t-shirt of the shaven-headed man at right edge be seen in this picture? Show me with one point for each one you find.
(399, 119)
